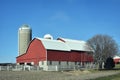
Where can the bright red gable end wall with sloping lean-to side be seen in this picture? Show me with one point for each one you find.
(35, 53)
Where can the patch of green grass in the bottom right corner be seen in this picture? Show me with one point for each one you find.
(112, 77)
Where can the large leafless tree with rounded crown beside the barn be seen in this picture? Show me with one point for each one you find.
(104, 46)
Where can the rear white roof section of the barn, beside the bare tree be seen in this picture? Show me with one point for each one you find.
(77, 45)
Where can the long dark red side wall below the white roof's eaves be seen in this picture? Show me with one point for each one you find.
(73, 56)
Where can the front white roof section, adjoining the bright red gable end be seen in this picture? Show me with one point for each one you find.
(54, 44)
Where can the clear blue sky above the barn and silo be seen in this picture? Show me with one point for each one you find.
(74, 19)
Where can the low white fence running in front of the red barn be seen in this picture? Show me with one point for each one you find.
(46, 68)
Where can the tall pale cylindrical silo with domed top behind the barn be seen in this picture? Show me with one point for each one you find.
(24, 38)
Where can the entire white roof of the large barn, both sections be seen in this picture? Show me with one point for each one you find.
(65, 44)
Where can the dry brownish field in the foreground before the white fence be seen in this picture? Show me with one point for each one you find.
(42, 75)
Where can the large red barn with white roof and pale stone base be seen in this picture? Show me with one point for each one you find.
(57, 54)
